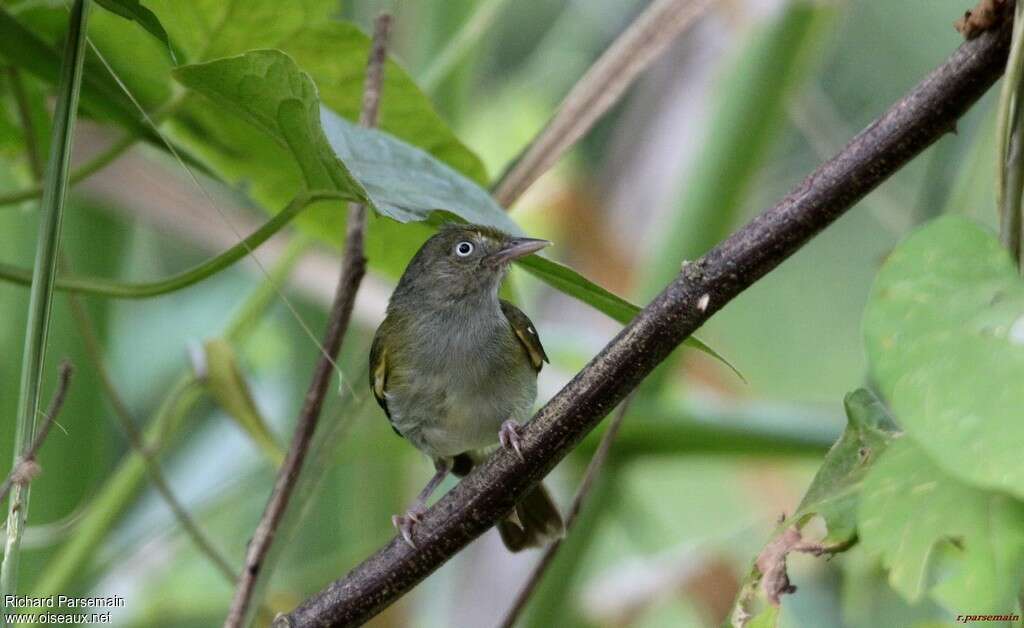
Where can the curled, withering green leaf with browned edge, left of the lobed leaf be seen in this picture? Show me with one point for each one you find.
(835, 492)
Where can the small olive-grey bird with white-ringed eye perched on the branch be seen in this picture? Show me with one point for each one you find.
(455, 368)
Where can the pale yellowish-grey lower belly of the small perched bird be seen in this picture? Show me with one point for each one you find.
(445, 416)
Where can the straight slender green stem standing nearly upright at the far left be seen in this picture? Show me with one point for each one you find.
(40, 298)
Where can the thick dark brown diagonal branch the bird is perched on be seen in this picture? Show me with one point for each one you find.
(702, 288)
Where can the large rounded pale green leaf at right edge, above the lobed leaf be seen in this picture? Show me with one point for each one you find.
(945, 330)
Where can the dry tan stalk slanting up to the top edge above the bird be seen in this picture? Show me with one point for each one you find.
(601, 89)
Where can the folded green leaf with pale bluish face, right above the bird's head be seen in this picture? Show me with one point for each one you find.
(267, 90)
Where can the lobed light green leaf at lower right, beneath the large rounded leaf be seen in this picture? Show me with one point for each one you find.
(915, 515)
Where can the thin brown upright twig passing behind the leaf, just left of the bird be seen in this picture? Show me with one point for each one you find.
(353, 270)
